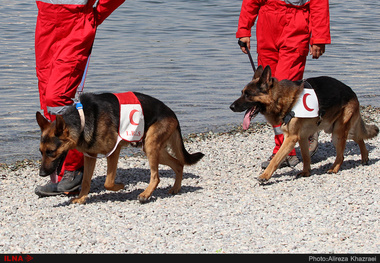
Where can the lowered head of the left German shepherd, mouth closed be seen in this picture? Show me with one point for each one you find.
(54, 145)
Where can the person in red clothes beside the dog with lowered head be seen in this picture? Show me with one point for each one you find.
(65, 32)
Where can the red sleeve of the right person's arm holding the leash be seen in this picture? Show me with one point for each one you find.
(248, 14)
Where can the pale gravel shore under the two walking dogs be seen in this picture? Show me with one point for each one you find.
(220, 209)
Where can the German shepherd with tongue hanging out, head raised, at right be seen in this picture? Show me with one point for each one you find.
(338, 114)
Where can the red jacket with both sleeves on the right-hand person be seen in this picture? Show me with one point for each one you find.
(319, 19)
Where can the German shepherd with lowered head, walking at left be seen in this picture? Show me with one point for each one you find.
(101, 111)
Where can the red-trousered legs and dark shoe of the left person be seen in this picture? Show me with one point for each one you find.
(63, 42)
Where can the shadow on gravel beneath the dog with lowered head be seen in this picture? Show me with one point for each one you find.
(131, 177)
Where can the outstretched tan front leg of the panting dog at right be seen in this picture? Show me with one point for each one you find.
(285, 149)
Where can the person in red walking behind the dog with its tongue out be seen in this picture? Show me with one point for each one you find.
(286, 31)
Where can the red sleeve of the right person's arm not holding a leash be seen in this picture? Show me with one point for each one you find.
(320, 22)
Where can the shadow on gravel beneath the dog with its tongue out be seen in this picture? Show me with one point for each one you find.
(324, 152)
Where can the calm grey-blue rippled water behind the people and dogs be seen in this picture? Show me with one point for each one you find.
(182, 52)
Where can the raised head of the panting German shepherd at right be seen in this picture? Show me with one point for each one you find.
(254, 97)
